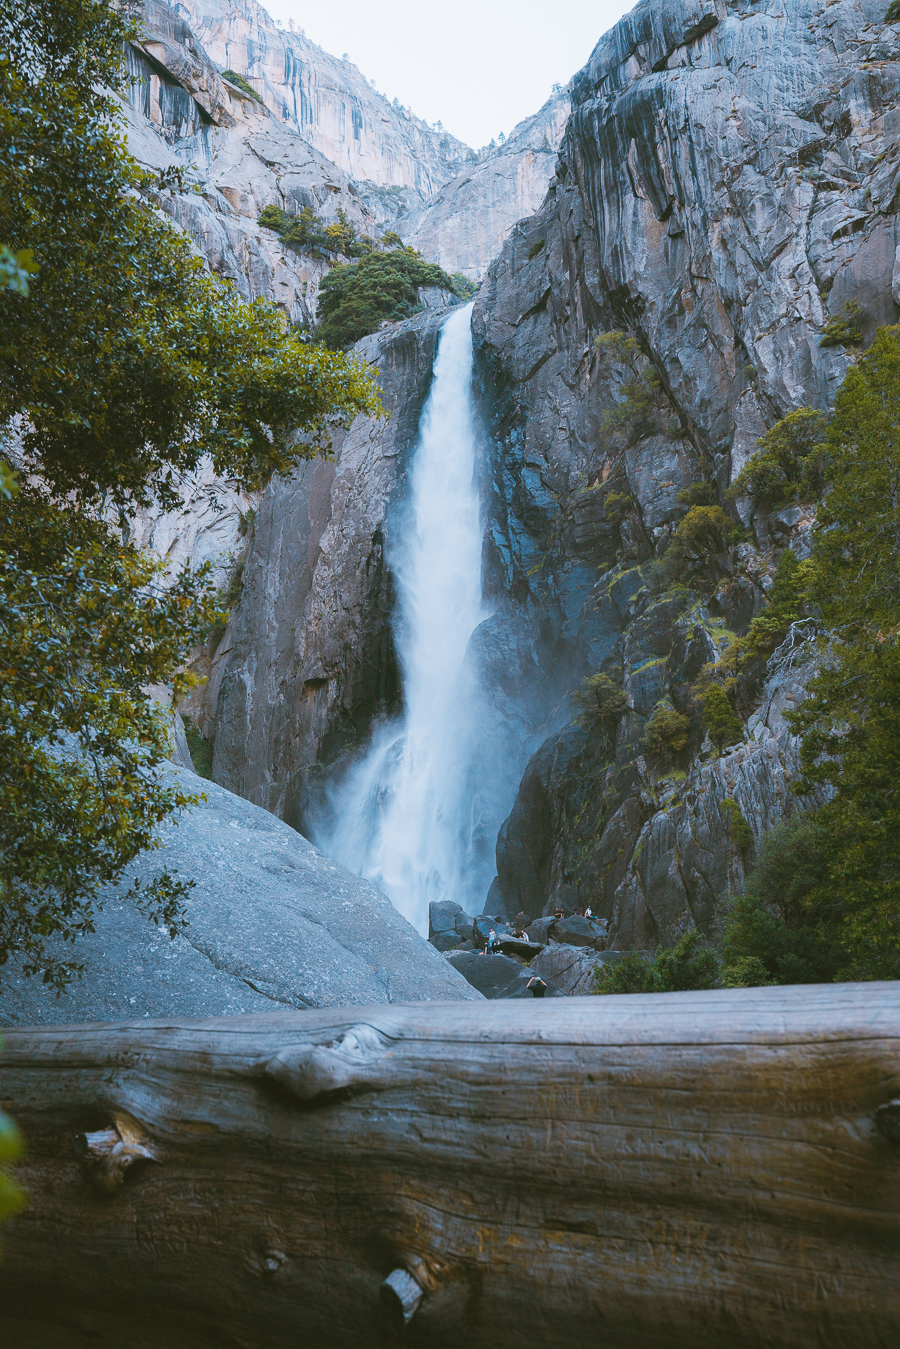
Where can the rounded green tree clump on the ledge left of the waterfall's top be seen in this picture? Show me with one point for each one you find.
(384, 287)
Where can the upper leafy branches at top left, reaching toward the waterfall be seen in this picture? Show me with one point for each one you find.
(129, 362)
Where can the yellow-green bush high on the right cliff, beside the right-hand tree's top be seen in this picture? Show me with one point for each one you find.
(789, 465)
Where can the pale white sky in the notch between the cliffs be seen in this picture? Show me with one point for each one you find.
(478, 67)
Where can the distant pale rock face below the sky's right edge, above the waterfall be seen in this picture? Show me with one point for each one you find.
(465, 226)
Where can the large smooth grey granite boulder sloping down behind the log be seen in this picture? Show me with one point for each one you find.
(271, 922)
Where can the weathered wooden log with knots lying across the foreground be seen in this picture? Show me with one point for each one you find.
(662, 1172)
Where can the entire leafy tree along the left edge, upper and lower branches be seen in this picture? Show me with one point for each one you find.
(125, 365)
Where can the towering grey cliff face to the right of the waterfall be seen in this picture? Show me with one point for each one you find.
(728, 183)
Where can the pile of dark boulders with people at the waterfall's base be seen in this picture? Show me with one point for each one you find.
(562, 953)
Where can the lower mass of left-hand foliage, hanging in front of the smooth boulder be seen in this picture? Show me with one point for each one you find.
(84, 628)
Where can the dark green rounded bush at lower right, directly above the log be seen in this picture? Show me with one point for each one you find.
(781, 930)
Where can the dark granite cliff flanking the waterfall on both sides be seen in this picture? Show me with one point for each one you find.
(727, 184)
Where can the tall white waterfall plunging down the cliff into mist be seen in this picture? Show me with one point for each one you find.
(410, 815)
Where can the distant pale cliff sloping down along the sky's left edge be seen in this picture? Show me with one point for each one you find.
(329, 102)
